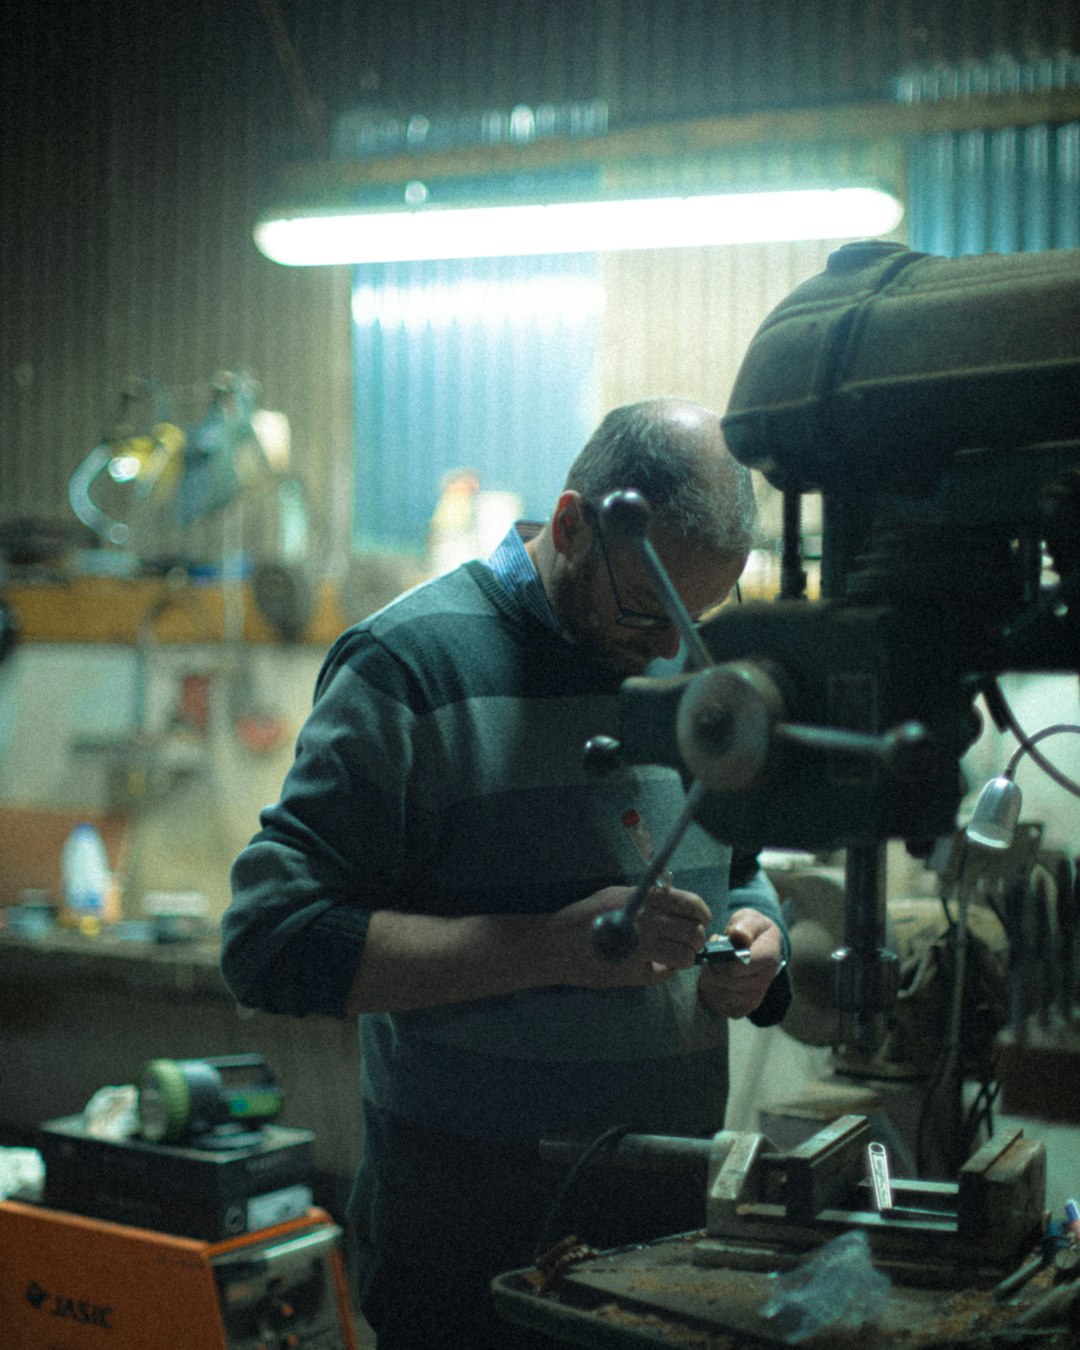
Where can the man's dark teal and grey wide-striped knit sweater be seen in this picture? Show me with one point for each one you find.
(441, 773)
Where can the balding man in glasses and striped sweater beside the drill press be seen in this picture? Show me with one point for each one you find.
(438, 861)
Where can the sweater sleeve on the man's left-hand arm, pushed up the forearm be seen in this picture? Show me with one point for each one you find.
(331, 850)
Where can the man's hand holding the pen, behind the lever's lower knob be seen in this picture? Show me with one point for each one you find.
(670, 934)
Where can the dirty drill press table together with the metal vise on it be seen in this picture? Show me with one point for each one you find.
(944, 1248)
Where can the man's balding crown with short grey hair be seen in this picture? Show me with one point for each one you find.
(693, 484)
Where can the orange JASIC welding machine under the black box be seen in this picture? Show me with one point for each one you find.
(67, 1279)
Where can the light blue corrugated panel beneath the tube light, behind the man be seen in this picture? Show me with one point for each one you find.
(485, 364)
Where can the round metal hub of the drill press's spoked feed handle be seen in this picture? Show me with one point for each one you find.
(724, 726)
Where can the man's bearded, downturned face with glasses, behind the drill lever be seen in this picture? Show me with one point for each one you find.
(585, 600)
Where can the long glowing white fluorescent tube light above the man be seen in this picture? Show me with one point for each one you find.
(306, 240)
